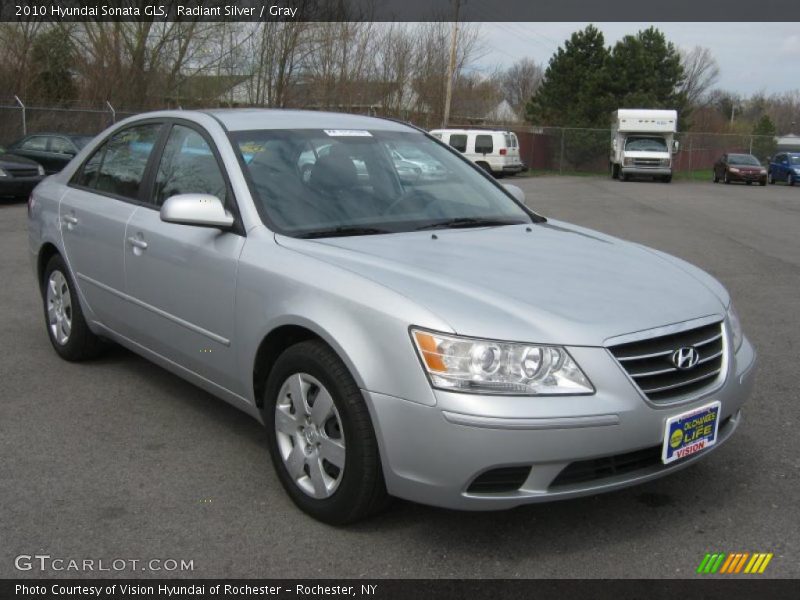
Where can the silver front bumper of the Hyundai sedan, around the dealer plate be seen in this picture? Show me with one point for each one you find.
(432, 454)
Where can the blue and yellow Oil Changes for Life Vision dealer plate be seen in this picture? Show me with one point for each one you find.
(690, 432)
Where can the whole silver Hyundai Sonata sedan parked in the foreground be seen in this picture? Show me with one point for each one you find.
(398, 335)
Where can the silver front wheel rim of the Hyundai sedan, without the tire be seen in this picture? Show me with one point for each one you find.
(310, 435)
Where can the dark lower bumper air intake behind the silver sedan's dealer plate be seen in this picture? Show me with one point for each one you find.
(619, 464)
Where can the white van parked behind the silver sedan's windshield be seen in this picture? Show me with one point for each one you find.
(494, 150)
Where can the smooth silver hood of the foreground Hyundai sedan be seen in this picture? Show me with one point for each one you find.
(557, 283)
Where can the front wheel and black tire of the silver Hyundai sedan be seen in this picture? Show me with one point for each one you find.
(342, 432)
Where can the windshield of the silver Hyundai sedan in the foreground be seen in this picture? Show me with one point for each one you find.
(312, 183)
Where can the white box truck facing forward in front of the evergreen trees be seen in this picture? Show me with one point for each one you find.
(642, 143)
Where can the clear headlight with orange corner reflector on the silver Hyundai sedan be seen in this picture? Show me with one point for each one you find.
(493, 367)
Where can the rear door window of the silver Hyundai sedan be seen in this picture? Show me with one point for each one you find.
(125, 160)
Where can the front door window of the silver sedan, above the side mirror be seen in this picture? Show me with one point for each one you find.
(188, 166)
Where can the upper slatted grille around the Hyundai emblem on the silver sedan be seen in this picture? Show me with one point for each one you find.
(649, 362)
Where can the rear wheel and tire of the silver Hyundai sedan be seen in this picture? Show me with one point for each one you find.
(67, 329)
